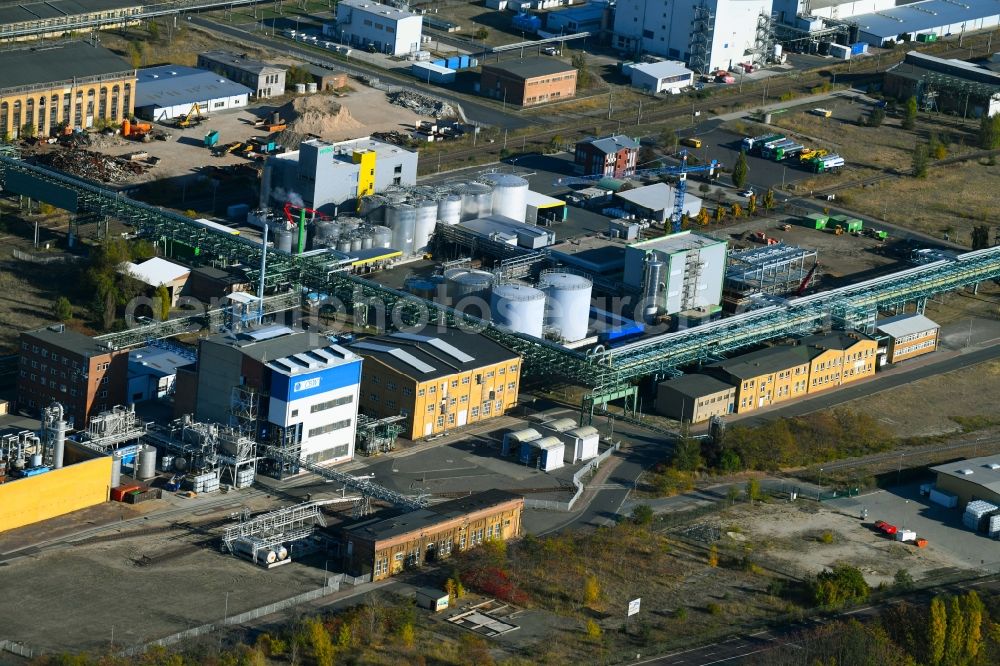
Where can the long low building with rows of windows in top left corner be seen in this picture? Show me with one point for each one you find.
(56, 18)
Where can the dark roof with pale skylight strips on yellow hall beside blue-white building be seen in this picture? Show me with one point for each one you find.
(424, 354)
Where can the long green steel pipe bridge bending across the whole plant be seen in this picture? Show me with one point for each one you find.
(610, 373)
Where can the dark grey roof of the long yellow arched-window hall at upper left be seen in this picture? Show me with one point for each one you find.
(54, 63)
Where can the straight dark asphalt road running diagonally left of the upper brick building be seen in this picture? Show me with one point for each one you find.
(476, 113)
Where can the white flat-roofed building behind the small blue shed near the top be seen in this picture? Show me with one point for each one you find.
(388, 29)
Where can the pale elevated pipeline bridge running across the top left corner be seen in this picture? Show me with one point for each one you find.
(79, 22)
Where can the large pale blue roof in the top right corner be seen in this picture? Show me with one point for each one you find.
(923, 16)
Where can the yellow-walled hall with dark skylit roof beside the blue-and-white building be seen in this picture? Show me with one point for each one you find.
(438, 382)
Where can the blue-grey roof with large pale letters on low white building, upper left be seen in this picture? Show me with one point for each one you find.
(172, 85)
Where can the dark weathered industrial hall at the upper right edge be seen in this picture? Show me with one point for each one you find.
(945, 85)
